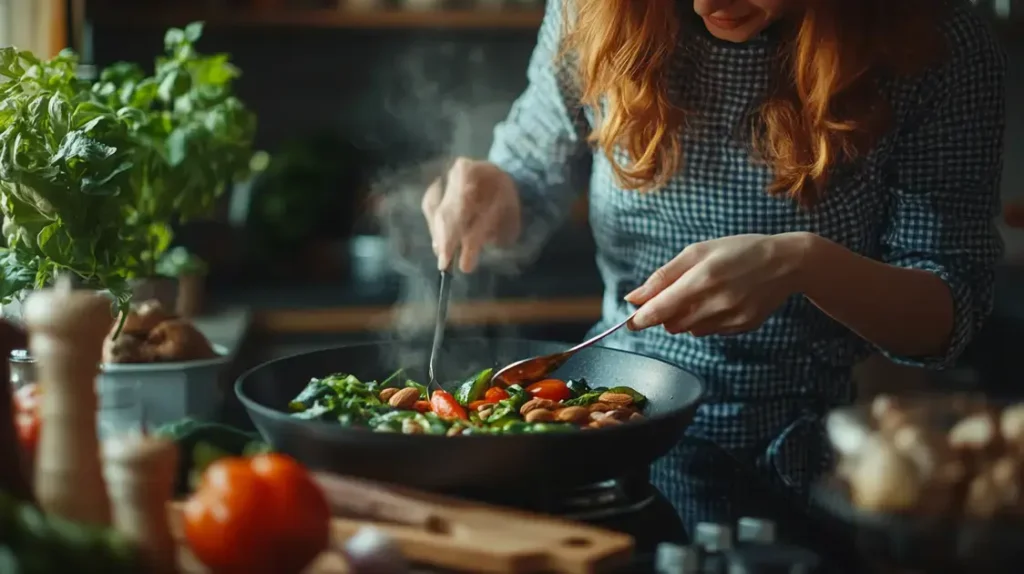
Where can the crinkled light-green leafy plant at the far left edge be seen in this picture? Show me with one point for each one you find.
(66, 169)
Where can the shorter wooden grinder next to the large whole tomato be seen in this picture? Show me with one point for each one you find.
(141, 473)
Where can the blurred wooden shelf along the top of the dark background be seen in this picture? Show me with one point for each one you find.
(326, 19)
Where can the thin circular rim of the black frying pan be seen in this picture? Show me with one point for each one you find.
(252, 406)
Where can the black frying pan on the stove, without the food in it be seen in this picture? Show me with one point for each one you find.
(475, 464)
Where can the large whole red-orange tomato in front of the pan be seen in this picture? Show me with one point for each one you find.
(260, 515)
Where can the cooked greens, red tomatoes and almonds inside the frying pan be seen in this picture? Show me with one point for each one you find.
(399, 405)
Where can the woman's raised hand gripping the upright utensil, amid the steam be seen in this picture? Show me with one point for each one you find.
(479, 206)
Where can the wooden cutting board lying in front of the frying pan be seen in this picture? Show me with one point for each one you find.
(456, 535)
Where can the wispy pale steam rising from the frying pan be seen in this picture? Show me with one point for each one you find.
(468, 118)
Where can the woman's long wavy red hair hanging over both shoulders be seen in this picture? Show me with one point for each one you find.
(825, 110)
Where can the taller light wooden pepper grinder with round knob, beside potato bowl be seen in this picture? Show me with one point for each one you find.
(66, 336)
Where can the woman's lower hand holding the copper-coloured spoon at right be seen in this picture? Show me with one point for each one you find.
(722, 287)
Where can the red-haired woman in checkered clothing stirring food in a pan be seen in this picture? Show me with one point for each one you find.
(791, 184)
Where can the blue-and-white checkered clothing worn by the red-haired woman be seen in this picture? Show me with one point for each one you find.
(925, 199)
